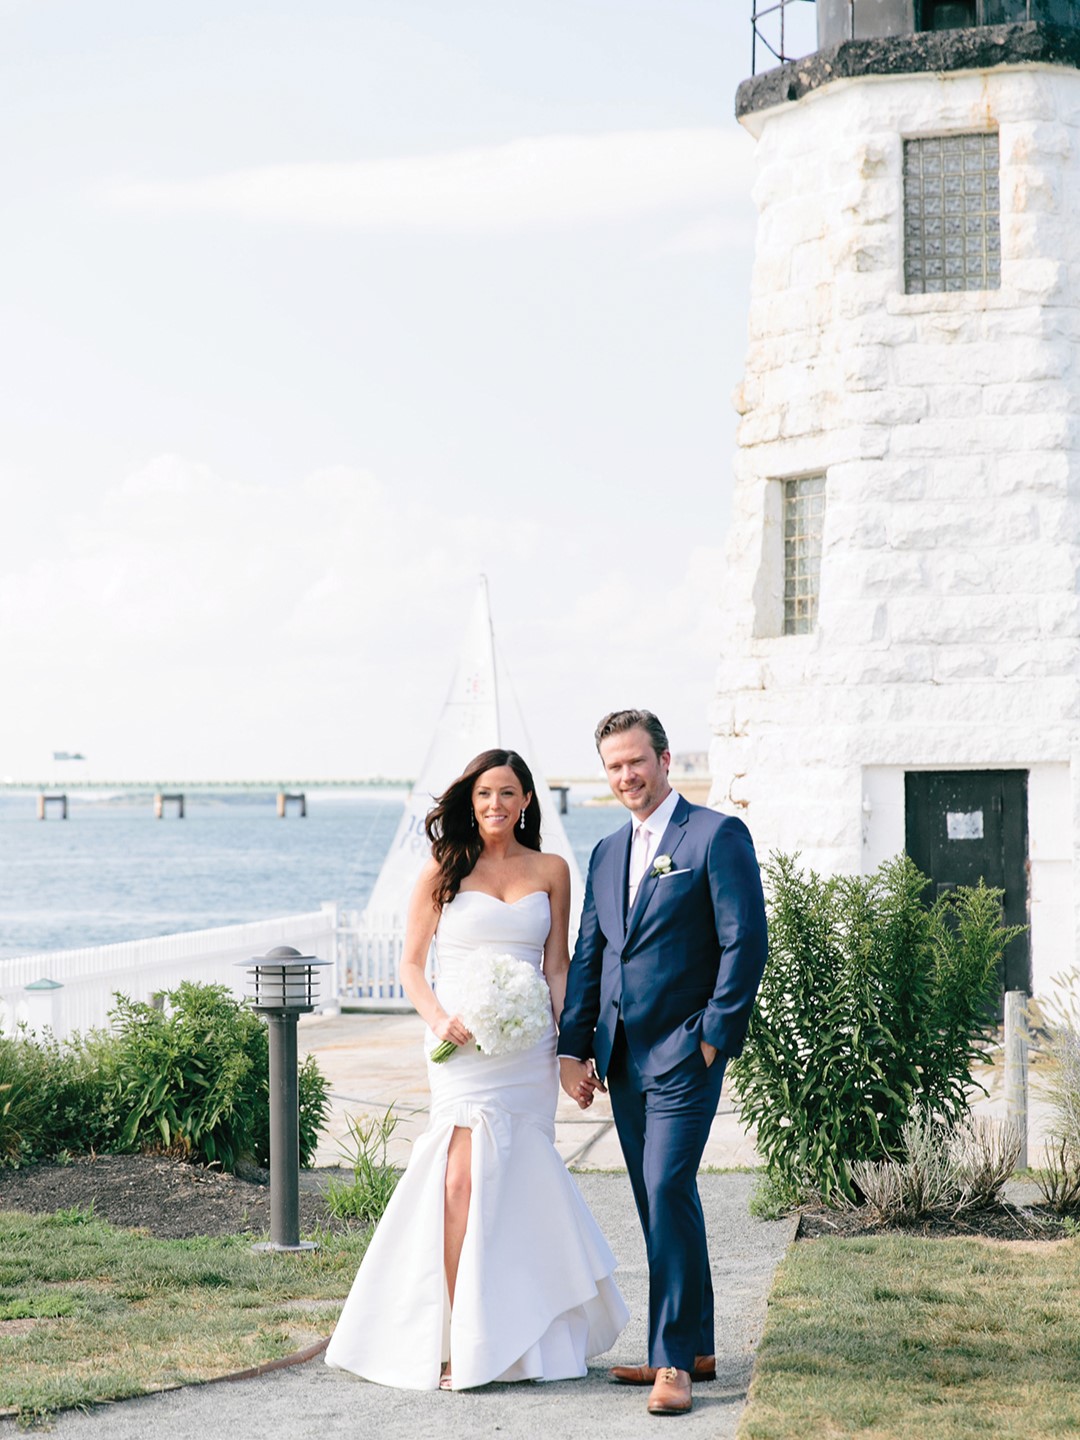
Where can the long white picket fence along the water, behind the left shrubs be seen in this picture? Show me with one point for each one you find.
(74, 990)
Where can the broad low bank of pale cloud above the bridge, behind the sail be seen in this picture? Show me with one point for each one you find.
(197, 626)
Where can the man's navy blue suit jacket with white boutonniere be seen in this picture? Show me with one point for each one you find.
(685, 964)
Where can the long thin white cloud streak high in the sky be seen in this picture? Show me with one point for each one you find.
(532, 182)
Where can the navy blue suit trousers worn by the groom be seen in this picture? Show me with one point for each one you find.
(663, 1124)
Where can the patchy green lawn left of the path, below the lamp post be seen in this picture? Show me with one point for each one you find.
(90, 1313)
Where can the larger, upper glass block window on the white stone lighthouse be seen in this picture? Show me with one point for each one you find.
(953, 214)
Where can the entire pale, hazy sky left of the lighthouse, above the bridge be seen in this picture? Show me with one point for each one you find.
(312, 315)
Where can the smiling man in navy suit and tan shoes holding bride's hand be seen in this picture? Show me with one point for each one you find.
(667, 964)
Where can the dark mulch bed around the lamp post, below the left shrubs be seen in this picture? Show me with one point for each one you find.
(166, 1197)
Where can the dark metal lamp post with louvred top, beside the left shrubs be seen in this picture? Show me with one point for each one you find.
(284, 990)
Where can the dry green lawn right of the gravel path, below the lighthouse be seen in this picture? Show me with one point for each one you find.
(895, 1338)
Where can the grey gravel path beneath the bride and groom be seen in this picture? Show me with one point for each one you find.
(315, 1403)
